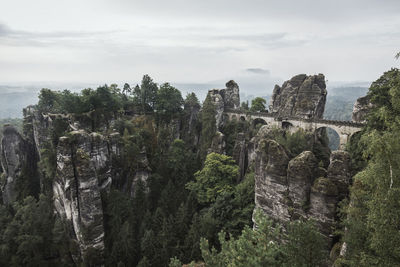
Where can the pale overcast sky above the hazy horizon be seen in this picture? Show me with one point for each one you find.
(204, 41)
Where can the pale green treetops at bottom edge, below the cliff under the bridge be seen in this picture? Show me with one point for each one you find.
(265, 246)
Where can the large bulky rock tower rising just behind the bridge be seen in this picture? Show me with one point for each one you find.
(302, 96)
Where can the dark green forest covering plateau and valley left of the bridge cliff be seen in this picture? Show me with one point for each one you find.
(164, 217)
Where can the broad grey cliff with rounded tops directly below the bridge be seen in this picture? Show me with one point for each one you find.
(291, 189)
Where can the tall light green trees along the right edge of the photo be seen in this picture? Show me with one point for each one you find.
(372, 216)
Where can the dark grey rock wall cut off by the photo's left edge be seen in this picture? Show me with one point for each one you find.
(18, 162)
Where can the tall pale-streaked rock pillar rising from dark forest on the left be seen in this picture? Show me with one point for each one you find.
(83, 165)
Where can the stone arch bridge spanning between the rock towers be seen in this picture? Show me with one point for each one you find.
(345, 129)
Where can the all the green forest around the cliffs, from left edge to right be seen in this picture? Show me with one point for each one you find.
(195, 207)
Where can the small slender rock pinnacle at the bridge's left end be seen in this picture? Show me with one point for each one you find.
(222, 99)
